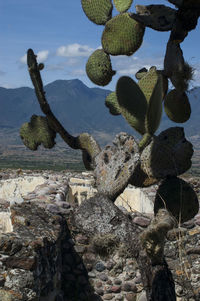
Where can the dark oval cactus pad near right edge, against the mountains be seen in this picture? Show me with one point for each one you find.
(177, 106)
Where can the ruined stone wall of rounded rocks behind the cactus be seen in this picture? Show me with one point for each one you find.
(44, 256)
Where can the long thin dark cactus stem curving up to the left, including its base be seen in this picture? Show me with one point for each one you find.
(84, 141)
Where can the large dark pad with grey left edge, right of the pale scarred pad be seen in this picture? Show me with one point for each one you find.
(168, 154)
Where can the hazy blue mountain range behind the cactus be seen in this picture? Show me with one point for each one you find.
(80, 109)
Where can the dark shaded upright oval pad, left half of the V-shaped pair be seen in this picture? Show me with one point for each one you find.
(132, 103)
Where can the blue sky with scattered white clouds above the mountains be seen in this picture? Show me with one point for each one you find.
(62, 36)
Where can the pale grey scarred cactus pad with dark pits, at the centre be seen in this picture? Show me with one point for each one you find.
(115, 165)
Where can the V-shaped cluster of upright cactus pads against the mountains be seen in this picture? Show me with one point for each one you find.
(141, 104)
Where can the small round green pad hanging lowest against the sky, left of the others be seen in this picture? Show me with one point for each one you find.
(99, 68)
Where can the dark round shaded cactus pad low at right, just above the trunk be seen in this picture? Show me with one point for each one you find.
(178, 197)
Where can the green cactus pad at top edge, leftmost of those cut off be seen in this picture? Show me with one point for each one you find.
(97, 11)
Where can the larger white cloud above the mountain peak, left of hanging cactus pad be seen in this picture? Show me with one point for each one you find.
(73, 50)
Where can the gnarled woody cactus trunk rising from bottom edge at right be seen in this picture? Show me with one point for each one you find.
(153, 240)
